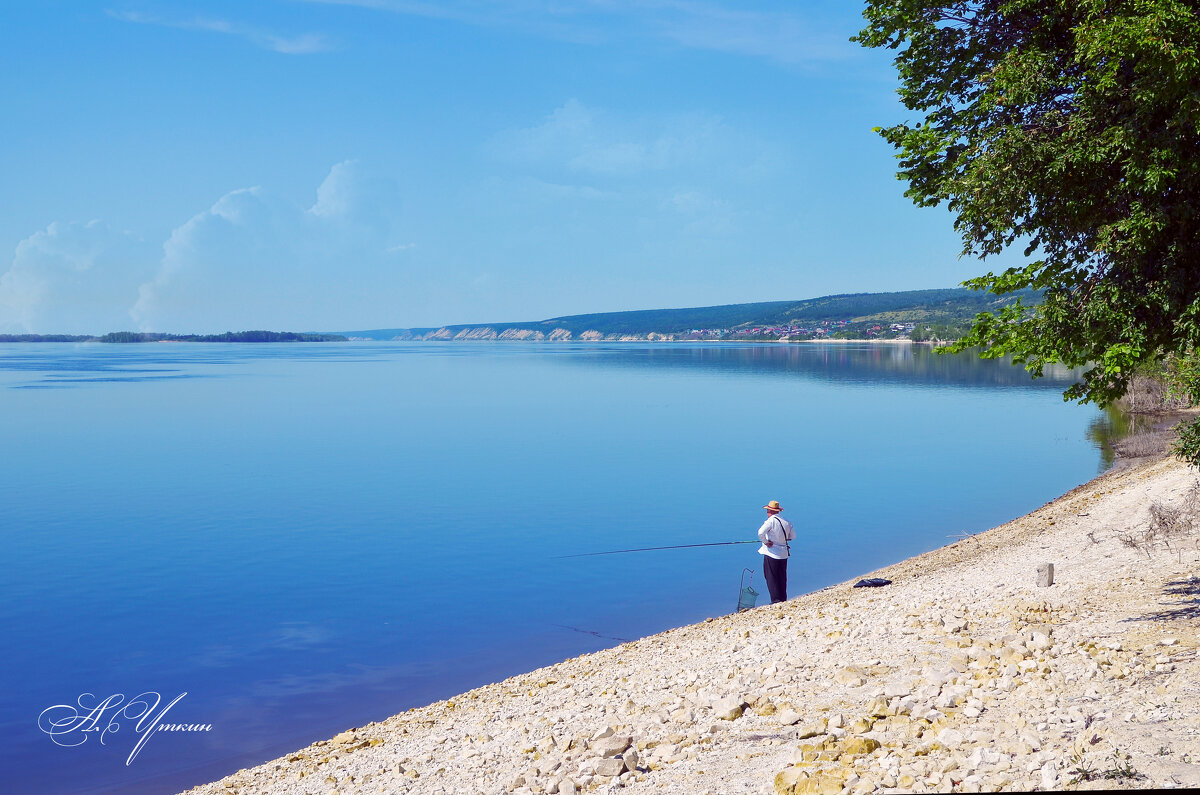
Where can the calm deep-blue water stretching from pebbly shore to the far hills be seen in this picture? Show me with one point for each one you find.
(304, 539)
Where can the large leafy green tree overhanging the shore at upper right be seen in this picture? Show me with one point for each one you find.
(1071, 128)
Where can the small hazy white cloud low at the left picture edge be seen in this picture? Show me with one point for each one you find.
(74, 279)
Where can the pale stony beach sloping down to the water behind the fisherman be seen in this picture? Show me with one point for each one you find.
(963, 676)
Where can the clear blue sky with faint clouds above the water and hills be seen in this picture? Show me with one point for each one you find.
(332, 165)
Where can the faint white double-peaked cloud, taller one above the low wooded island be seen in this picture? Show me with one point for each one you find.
(256, 261)
